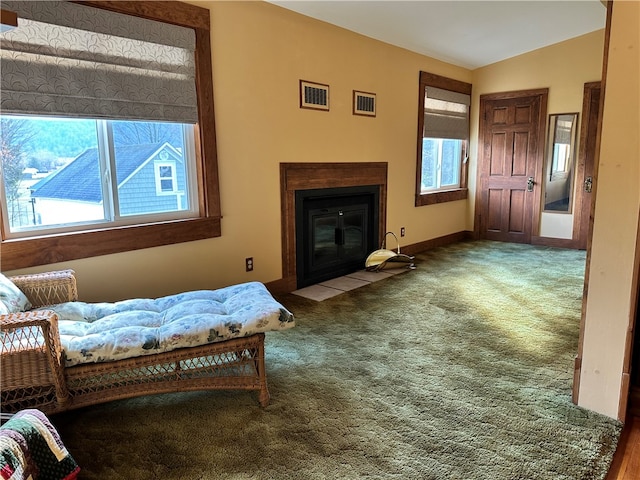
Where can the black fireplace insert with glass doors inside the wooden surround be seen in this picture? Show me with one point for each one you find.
(336, 228)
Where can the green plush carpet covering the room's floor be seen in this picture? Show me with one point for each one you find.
(460, 369)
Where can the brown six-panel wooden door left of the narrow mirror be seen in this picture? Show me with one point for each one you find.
(511, 164)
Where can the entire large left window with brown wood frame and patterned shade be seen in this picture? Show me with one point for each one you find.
(115, 163)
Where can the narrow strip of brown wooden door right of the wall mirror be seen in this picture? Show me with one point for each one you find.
(585, 178)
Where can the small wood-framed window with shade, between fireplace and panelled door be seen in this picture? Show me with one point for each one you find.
(443, 137)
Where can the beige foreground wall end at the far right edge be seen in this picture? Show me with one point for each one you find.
(610, 298)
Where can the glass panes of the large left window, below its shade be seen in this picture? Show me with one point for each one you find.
(69, 175)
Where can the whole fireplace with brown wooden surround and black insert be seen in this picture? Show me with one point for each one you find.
(299, 180)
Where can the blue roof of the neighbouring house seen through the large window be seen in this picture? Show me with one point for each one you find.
(80, 179)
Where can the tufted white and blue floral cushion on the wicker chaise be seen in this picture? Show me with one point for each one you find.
(100, 332)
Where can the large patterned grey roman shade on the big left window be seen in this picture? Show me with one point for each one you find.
(73, 60)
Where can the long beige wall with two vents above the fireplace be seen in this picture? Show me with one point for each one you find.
(260, 52)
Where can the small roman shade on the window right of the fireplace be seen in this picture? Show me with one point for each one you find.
(446, 114)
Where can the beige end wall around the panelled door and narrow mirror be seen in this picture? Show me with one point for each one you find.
(564, 68)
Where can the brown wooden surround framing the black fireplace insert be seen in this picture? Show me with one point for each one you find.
(305, 176)
